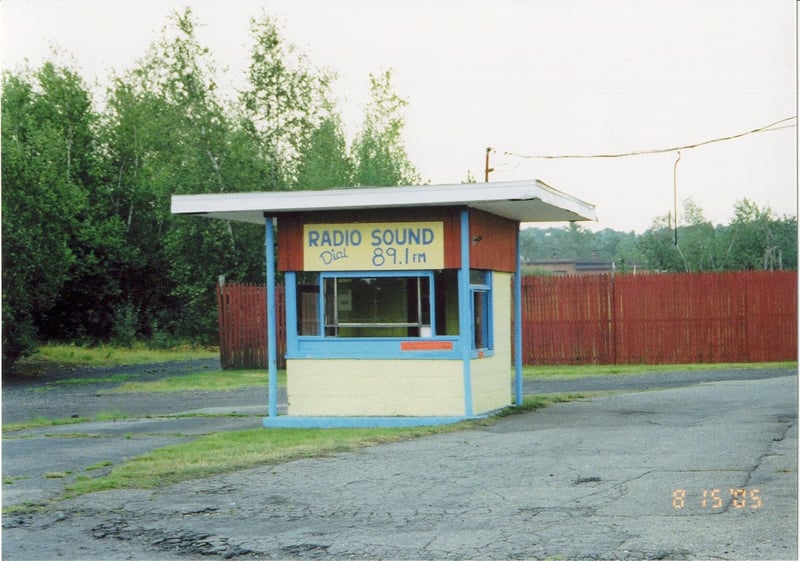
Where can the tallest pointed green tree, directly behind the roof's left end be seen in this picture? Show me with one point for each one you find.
(168, 133)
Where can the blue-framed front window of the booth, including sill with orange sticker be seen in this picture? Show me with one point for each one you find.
(374, 314)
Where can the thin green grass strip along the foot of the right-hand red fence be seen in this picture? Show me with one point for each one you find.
(556, 372)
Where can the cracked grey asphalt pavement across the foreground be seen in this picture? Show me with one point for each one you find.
(699, 471)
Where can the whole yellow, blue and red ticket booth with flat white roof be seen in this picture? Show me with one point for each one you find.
(402, 303)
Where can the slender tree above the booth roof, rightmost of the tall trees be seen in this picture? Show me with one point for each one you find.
(380, 153)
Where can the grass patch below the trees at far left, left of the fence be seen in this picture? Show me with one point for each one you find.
(52, 357)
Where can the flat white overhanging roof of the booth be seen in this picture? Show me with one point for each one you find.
(524, 201)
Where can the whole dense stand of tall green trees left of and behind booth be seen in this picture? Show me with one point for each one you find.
(91, 251)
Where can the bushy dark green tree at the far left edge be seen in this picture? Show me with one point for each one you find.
(51, 232)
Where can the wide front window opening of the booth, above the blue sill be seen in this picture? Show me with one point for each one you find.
(385, 304)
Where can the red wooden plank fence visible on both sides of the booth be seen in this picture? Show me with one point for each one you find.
(598, 319)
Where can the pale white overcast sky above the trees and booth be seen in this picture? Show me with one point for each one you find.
(527, 77)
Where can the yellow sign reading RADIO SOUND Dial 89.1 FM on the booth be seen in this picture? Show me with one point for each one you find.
(373, 246)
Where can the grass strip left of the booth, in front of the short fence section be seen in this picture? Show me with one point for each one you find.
(210, 380)
